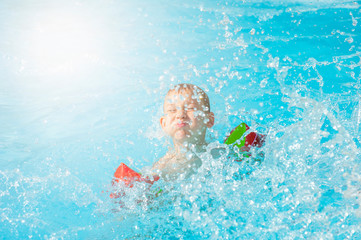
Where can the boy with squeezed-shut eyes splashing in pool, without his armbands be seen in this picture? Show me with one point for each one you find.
(186, 118)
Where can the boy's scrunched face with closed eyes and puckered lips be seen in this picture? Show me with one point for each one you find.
(186, 118)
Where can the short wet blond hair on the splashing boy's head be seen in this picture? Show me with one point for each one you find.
(195, 91)
